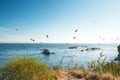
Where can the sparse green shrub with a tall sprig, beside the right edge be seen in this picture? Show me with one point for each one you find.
(102, 66)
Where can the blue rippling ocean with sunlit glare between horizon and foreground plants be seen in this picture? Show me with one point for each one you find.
(79, 56)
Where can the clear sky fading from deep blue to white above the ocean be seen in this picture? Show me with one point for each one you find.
(96, 21)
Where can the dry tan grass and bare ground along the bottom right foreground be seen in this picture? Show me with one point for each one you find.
(83, 75)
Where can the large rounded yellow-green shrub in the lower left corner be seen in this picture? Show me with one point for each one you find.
(24, 69)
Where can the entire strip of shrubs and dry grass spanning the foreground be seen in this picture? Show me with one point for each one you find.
(29, 68)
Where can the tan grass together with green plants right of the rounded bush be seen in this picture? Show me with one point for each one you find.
(97, 70)
